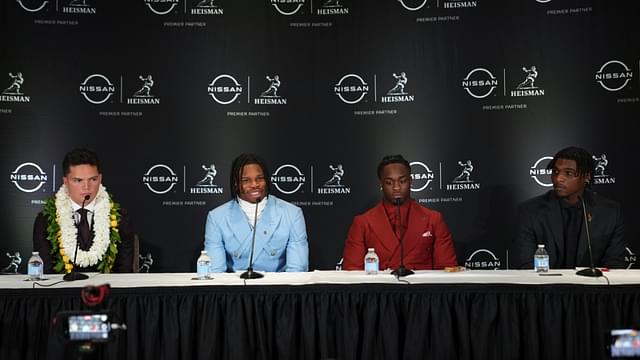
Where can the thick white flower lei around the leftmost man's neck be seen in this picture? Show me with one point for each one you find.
(69, 231)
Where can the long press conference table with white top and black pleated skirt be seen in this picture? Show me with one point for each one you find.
(502, 314)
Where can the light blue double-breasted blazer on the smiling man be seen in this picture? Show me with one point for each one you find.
(281, 238)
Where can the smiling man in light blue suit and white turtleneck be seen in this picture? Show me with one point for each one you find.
(281, 235)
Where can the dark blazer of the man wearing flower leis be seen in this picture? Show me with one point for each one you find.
(124, 258)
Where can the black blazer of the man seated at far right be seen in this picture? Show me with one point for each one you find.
(540, 222)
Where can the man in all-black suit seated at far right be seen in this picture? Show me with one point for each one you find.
(556, 219)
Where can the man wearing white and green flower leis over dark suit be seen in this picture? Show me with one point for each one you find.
(102, 228)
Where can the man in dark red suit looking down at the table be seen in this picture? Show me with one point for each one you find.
(426, 238)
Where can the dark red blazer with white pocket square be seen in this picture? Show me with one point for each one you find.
(427, 242)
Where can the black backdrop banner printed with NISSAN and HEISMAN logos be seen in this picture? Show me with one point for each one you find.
(477, 95)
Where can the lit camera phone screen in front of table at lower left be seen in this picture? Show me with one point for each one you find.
(94, 327)
